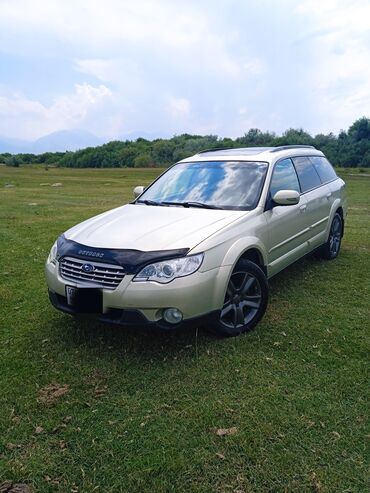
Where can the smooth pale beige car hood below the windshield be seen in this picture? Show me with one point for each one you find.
(149, 228)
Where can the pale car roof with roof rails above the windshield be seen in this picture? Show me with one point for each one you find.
(268, 154)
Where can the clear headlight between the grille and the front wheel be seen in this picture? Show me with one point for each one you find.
(168, 270)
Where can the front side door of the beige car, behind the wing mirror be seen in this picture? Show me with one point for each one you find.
(288, 225)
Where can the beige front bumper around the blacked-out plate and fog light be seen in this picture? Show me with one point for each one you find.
(198, 296)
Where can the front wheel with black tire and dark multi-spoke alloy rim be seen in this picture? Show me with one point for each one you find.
(245, 301)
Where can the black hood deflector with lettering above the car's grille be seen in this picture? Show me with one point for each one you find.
(132, 261)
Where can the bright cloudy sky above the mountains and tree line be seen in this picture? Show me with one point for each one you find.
(164, 67)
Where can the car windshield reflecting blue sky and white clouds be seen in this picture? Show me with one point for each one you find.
(212, 184)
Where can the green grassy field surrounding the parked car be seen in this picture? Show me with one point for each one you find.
(92, 408)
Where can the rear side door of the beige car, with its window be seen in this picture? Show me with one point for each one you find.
(318, 197)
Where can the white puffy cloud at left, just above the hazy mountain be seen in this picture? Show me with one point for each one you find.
(24, 118)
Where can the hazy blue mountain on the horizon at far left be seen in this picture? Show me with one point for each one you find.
(62, 140)
